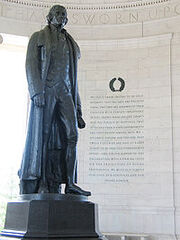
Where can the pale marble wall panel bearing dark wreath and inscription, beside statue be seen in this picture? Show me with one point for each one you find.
(127, 158)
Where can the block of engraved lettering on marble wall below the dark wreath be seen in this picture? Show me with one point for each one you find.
(116, 138)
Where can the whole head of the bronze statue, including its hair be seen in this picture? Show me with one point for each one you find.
(57, 16)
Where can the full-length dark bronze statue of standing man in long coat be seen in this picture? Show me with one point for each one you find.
(49, 157)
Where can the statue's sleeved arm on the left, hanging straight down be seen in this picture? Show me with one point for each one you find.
(33, 67)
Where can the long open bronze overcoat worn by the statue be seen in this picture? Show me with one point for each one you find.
(37, 65)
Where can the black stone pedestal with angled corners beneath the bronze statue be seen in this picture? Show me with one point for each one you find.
(51, 216)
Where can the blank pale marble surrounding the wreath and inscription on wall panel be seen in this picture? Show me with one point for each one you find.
(143, 204)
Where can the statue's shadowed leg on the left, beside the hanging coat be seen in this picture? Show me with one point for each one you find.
(48, 112)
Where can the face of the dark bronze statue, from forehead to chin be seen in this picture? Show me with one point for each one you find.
(59, 16)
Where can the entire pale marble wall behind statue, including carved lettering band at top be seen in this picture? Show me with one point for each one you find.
(129, 152)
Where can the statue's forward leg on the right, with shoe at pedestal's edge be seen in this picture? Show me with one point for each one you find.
(67, 116)
